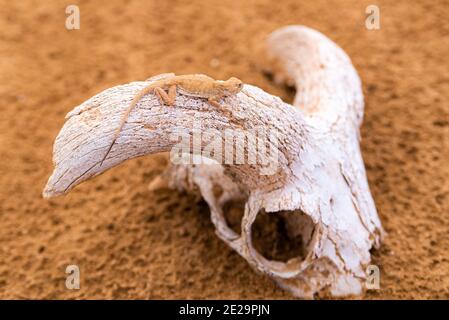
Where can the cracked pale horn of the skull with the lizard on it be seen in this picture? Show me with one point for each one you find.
(152, 128)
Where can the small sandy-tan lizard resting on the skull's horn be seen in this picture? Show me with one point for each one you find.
(195, 85)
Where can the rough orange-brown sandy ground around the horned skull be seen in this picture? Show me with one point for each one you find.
(132, 243)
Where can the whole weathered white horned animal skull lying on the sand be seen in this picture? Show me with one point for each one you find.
(319, 185)
